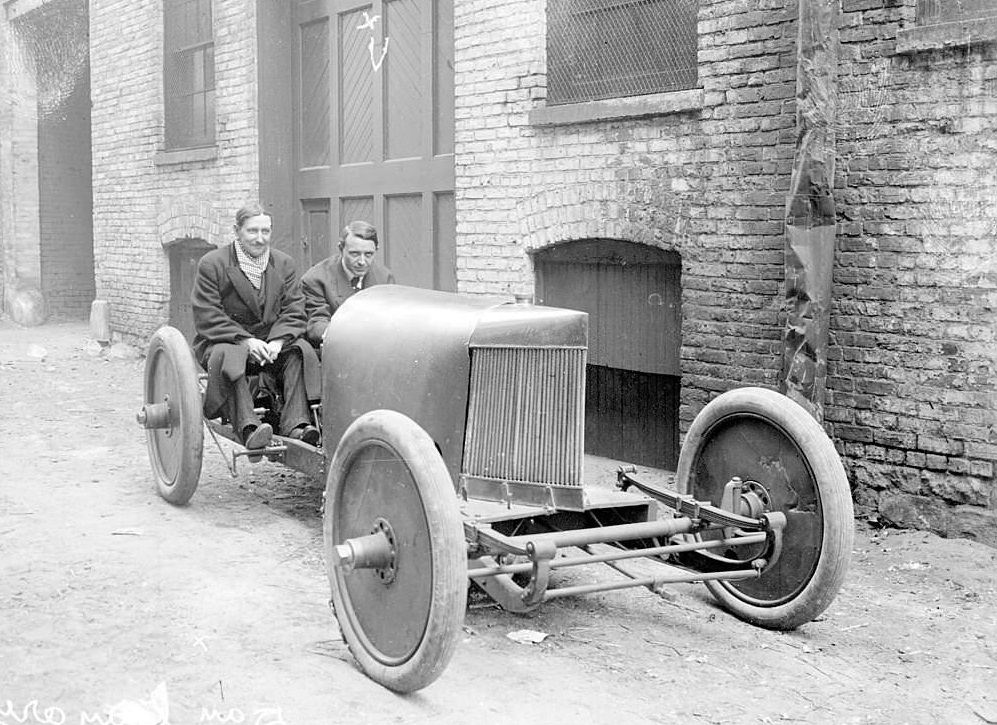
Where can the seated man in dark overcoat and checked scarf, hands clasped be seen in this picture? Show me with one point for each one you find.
(249, 316)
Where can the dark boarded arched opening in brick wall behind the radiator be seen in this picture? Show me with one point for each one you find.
(633, 294)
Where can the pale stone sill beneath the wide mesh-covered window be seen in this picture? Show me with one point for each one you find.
(657, 104)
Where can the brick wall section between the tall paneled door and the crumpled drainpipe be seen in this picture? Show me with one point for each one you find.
(709, 183)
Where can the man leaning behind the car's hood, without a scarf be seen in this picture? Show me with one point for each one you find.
(330, 282)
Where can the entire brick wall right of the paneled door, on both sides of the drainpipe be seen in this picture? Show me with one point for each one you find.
(911, 402)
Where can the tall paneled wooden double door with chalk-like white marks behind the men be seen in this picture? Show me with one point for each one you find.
(374, 130)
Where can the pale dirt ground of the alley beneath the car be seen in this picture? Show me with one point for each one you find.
(115, 605)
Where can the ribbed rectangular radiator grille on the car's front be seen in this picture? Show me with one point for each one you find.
(526, 415)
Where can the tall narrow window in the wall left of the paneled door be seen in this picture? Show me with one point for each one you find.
(189, 74)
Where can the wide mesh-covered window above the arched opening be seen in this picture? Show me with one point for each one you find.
(599, 49)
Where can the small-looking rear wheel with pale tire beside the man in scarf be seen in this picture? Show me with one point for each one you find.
(175, 451)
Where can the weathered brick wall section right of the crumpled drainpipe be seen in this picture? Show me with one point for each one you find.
(913, 394)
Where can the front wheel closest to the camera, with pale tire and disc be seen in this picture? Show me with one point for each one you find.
(402, 629)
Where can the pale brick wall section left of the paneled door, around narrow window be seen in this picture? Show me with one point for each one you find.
(139, 203)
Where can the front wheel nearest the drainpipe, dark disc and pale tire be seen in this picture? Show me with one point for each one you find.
(762, 436)
